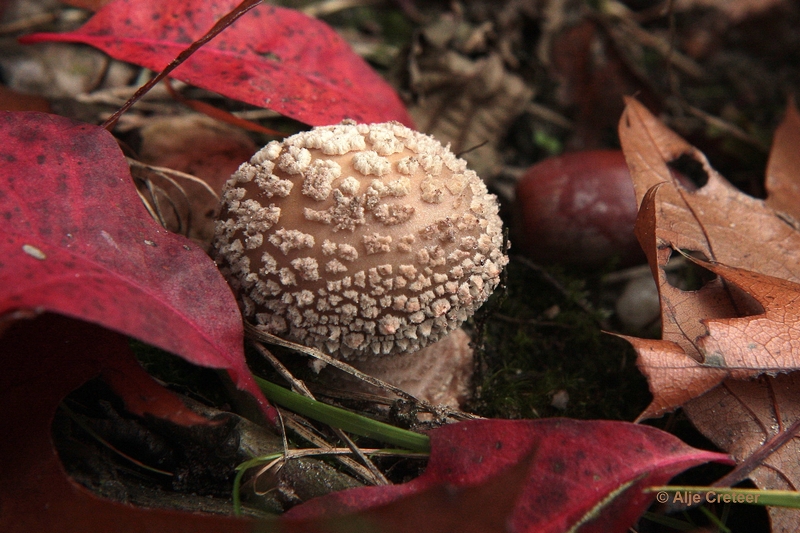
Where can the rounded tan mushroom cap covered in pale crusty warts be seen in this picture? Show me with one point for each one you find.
(359, 239)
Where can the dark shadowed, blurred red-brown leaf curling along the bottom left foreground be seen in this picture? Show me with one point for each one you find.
(38, 496)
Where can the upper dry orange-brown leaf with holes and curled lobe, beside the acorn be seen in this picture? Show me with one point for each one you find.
(728, 227)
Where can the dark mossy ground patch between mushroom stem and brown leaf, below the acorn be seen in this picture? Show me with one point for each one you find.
(538, 340)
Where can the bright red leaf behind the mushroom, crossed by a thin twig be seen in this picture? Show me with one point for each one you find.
(272, 57)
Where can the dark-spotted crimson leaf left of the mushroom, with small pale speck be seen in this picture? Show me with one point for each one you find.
(77, 241)
